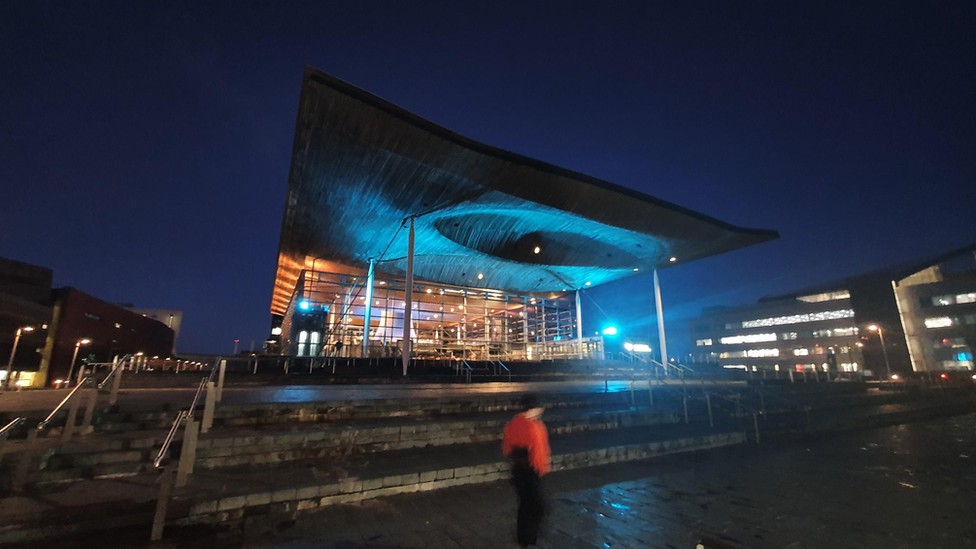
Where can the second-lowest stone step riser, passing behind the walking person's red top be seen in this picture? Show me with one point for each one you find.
(104, 456)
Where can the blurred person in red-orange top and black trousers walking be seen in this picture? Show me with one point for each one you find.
(526, 445)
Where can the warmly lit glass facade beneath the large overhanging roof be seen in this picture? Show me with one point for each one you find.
(326, 317)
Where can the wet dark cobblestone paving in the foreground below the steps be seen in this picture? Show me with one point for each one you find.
(912, 486)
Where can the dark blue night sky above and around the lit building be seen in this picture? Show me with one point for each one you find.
(144, 152)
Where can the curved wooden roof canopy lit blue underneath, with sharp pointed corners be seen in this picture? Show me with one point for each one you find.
(361, 165)
